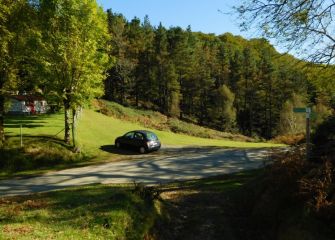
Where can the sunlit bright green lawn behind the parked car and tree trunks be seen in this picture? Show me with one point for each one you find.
(96, 130)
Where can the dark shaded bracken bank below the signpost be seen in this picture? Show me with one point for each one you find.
(293, 199)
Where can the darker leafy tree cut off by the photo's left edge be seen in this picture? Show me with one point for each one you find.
(18, 41)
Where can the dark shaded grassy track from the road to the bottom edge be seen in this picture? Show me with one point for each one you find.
(201, 209)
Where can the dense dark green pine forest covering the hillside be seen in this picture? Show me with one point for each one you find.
(224, 82)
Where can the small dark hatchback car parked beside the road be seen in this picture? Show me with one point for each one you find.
(141, 140)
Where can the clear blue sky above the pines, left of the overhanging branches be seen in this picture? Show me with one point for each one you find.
(202, 15)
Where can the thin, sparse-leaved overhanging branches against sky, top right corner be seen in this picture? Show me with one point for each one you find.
(306, 26)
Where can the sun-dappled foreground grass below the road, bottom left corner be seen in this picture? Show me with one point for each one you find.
(93, 212)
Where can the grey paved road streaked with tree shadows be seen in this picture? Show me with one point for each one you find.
(169, 164)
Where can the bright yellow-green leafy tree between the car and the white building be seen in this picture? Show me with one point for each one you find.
(75, 34)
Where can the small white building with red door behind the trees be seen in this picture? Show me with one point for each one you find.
(27, 104)
